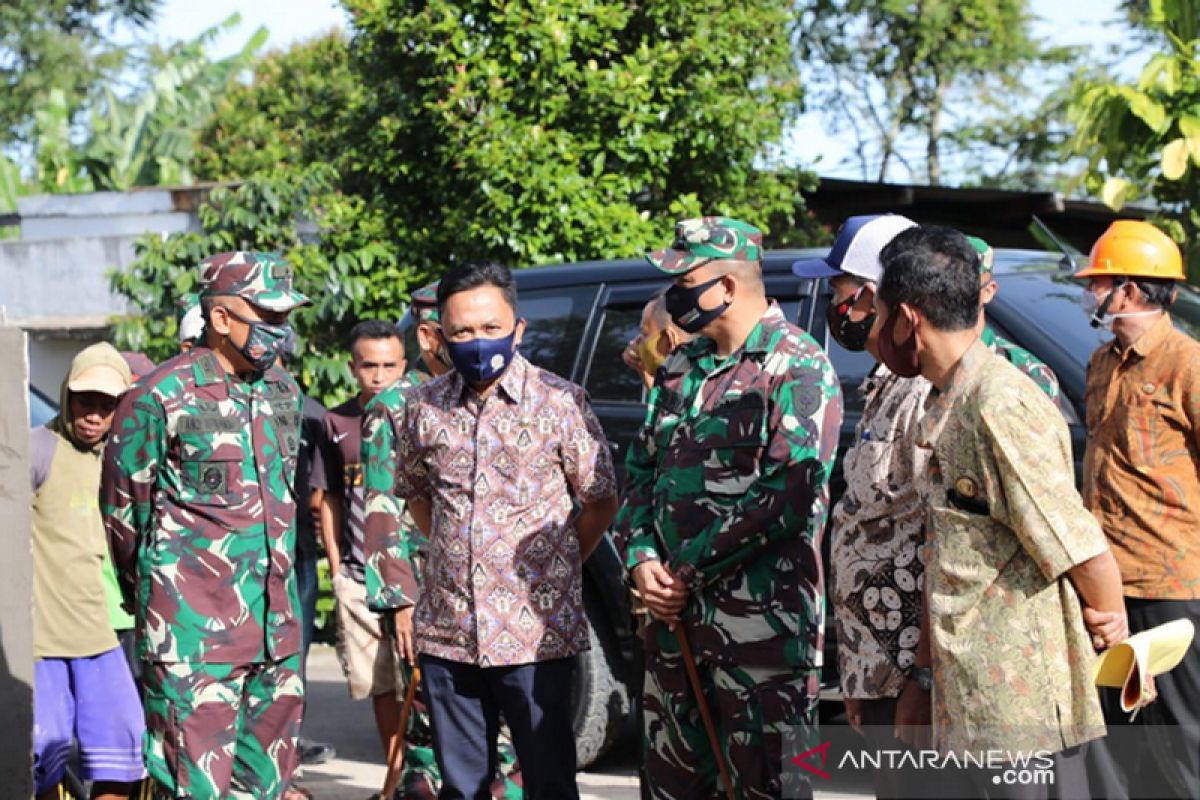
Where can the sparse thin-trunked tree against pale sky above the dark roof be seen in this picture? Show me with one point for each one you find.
(938, 87)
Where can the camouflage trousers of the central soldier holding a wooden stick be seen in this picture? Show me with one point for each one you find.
(754, 709)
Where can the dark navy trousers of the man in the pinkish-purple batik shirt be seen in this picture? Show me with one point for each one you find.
(466, 705)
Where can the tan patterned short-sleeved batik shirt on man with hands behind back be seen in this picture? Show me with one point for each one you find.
(1012, 659)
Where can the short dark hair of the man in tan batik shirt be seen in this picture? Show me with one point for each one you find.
(935, 270)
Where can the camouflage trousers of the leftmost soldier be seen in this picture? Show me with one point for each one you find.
(223, 731)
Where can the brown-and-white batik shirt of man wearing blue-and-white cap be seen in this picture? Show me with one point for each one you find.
(879, 526)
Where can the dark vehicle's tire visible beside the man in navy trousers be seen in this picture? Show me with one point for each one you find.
(599, 700)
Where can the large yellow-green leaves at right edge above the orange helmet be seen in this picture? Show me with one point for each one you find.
(1142, 140)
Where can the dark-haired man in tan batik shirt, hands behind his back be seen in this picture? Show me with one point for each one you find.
(1013, 557)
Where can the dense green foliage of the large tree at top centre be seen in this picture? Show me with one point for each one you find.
(538, 133)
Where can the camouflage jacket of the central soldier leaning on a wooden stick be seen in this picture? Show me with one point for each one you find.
(729, 485)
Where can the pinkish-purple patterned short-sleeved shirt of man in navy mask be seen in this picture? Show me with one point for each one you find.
(502, 585)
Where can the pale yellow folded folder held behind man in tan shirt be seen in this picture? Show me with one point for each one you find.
(1132, 664)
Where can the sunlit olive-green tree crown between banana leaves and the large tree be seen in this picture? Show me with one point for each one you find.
(292, 115)
